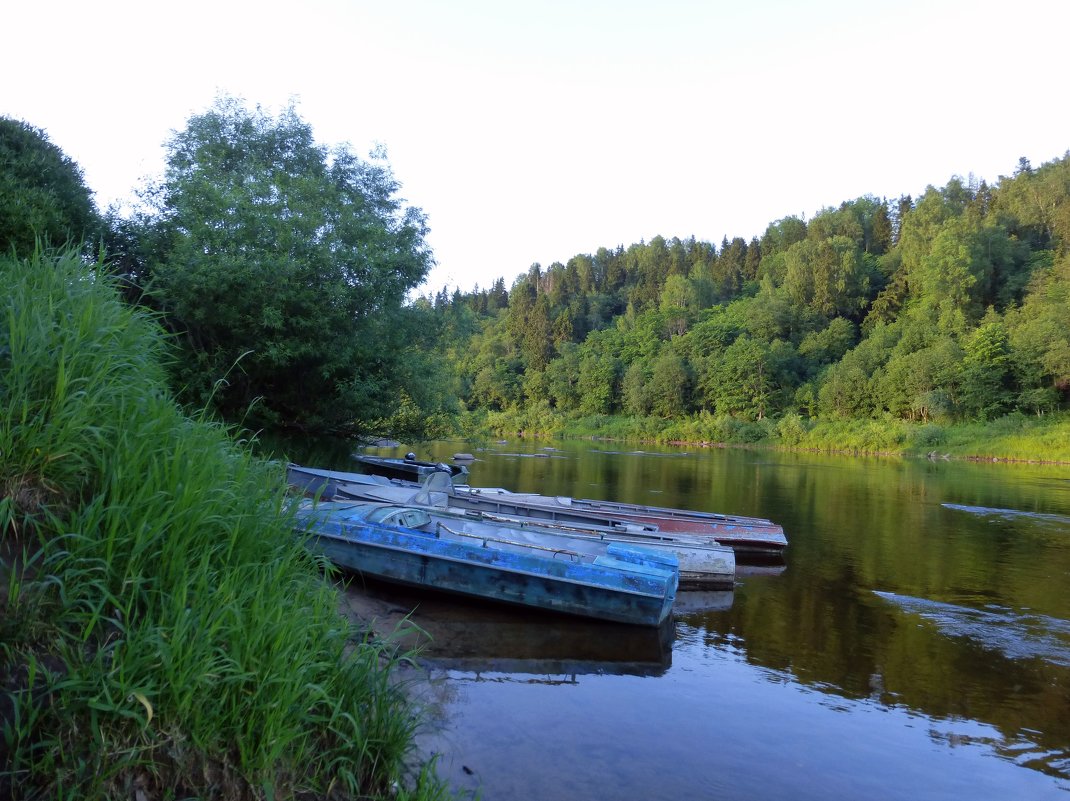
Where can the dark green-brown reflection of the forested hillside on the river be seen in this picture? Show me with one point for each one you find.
(855, 527)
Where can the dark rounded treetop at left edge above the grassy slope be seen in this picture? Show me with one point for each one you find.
(43, 195)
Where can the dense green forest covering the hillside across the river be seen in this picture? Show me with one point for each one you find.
(950, 309)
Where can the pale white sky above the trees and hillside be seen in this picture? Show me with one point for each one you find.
(531, 133)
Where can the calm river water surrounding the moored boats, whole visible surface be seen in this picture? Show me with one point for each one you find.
(914, 645)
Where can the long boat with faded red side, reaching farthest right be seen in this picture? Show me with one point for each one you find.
(752, 538)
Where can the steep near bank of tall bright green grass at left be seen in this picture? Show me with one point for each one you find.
(163, 633)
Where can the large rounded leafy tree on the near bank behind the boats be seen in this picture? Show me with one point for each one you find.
(284, 267)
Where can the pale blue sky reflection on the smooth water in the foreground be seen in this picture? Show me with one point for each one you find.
(715, 726)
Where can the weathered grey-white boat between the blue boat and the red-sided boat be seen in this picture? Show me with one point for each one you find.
(704, 565)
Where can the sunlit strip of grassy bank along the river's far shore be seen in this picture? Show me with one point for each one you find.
(1014, 438)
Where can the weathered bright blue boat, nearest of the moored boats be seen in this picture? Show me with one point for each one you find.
(626, 584)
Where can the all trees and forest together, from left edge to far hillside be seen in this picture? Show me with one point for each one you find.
(285, 271)
